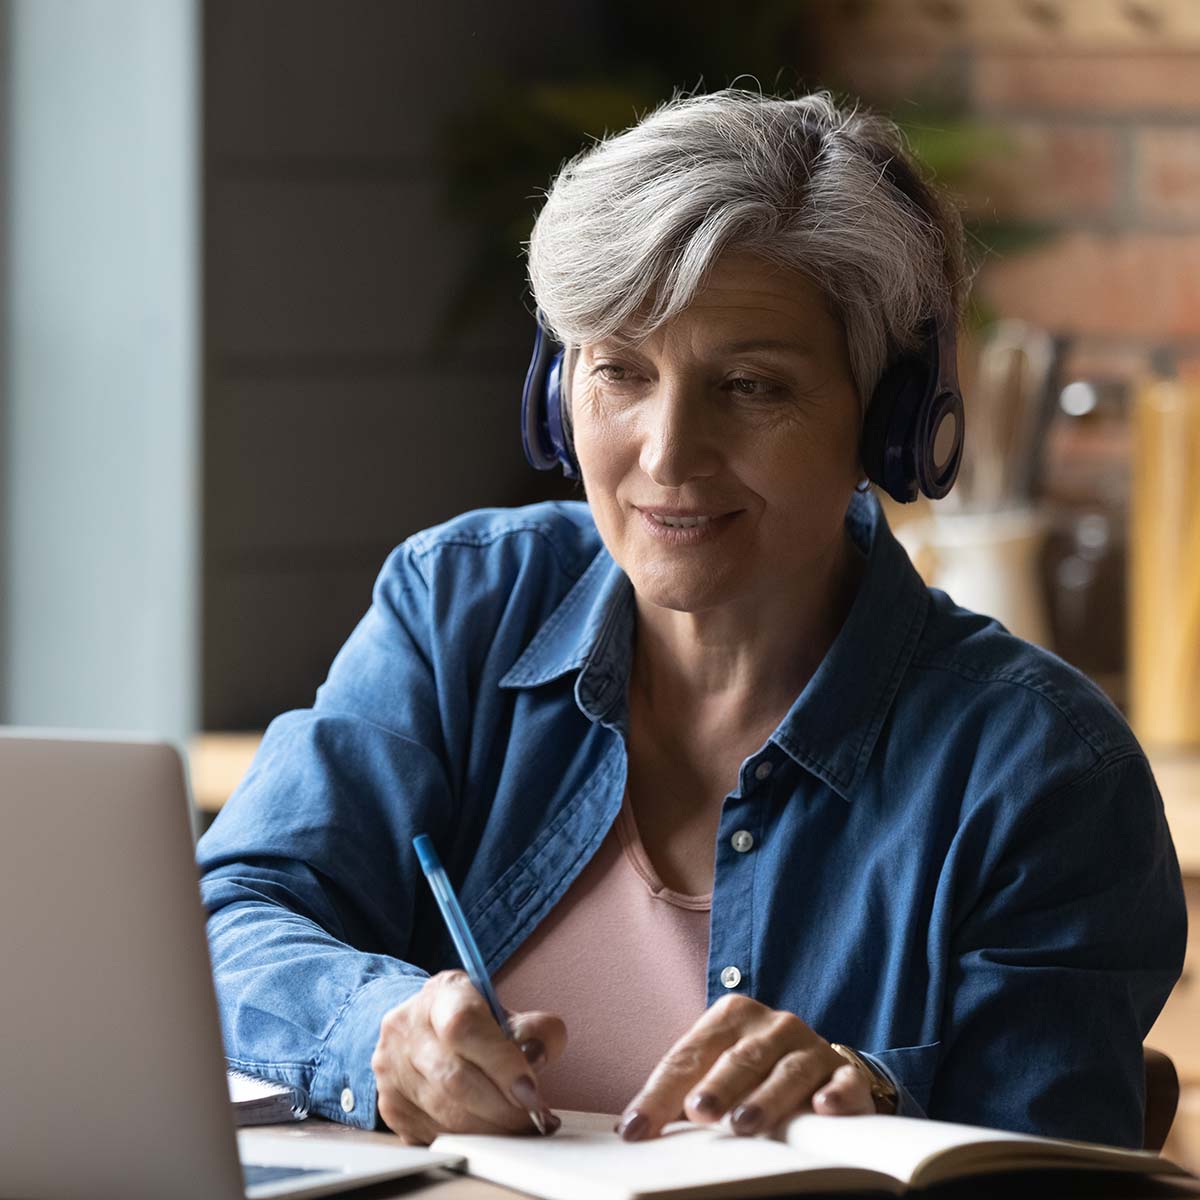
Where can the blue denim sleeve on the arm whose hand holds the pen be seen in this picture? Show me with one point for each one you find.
(308, 874)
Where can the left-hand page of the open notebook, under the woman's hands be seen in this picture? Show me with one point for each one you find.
(587, 1161)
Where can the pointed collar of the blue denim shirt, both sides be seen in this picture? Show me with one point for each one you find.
(832, 728)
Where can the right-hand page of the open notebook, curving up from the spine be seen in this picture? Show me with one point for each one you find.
(920, 1151)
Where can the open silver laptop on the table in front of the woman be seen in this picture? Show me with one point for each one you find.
(112, 1077)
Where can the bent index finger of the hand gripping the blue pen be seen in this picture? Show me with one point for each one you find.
(469, 1037)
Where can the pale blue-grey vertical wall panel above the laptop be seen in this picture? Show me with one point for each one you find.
(103, 441)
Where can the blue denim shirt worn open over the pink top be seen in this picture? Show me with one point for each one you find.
(961, 863)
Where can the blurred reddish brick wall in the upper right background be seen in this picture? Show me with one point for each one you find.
(1097, 110)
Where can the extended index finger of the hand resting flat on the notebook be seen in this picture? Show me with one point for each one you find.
(687, 1064)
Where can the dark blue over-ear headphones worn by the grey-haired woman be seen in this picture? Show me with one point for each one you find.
(913, 434)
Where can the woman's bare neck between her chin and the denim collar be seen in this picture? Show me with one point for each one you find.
(749, 661)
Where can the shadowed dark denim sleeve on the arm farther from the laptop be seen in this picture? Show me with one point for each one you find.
(1071, 939)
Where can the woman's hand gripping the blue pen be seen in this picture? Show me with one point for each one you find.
(443, 1066)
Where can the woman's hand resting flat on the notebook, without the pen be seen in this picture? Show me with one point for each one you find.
(761, 1065)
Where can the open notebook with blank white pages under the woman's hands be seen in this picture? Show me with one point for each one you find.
(587, 1161)
